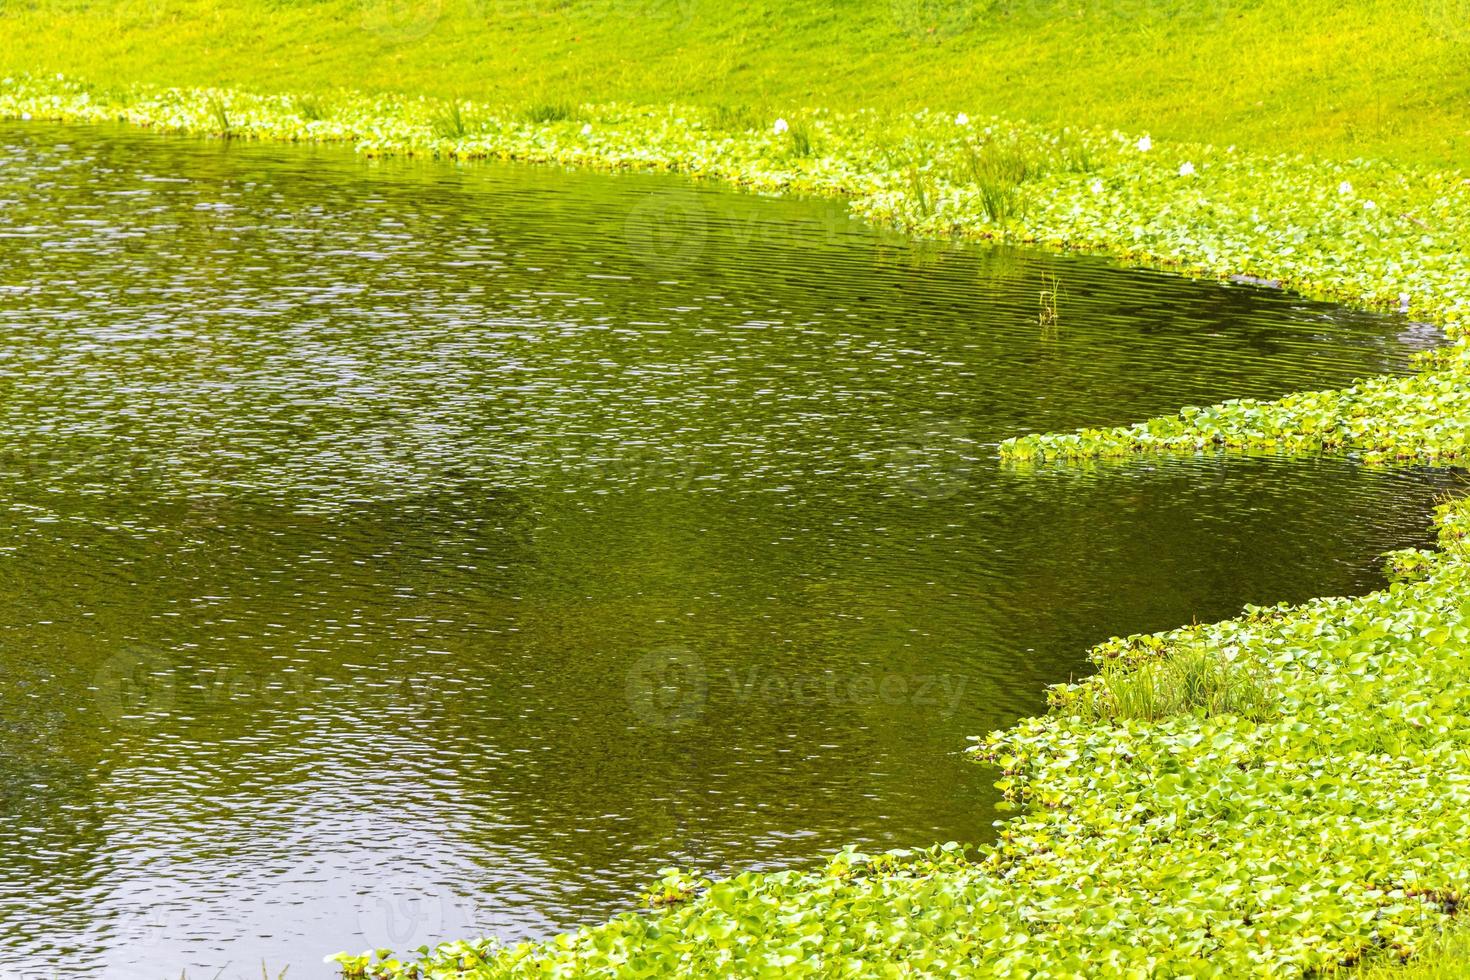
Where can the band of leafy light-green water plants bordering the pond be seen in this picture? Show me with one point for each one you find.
(1159, 838)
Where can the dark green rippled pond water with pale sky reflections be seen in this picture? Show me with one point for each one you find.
(402, 552)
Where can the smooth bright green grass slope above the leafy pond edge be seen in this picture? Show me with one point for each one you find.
(1369, 79)
